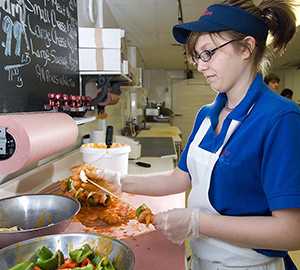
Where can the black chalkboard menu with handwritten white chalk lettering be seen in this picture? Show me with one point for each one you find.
(38, 52)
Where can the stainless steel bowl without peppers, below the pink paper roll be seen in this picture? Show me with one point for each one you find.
(36, 215)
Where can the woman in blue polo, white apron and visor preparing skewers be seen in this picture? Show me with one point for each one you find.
(241, 160)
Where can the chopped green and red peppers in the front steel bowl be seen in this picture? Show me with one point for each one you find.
(84, 258)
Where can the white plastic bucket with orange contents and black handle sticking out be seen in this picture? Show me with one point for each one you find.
(114, 158)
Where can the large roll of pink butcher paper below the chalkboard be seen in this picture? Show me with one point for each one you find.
(37, 135)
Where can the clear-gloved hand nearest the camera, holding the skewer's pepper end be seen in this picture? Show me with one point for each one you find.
(179, 224)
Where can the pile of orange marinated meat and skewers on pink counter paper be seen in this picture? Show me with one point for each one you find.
(96, 205)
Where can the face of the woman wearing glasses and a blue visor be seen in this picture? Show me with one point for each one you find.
(226, 65)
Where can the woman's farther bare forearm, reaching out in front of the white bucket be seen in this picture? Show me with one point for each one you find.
(158, 184)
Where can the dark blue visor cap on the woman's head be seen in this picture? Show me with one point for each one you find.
(223, 18)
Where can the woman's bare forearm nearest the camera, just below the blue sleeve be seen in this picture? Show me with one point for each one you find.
(278, 232)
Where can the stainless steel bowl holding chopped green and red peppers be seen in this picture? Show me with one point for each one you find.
(121, 255)
